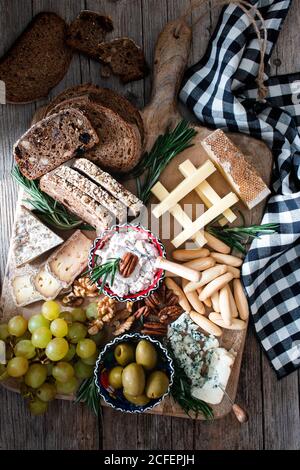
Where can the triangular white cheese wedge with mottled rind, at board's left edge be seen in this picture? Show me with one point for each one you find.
(31, 238)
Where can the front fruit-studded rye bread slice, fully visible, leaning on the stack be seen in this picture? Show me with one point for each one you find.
(53, 141)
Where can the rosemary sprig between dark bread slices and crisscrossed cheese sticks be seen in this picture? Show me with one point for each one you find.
(166, 147)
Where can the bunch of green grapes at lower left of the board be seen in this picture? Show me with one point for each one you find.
(49, 354)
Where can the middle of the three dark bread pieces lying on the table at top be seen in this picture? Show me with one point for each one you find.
(87, 31)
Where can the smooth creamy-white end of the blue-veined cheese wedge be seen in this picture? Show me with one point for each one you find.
(218, 374)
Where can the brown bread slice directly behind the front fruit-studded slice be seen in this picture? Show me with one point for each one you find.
(119, 147)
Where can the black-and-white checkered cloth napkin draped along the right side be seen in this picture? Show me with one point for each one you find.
(221, 91)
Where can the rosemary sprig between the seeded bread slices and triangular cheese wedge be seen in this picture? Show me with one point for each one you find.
(46, 208)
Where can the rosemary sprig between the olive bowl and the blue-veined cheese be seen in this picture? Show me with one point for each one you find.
(181, 392)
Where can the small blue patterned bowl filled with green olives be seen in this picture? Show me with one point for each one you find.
(134, 373)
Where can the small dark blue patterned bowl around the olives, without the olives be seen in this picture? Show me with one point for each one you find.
(106, 361)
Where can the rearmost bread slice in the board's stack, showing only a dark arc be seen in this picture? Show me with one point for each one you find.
(106, 97)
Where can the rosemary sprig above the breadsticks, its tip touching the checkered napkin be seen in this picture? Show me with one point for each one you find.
(238, 237)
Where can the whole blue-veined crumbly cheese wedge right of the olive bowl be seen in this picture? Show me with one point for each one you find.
(207, 365)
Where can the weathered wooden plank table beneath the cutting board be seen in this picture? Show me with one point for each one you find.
(273, 406)
